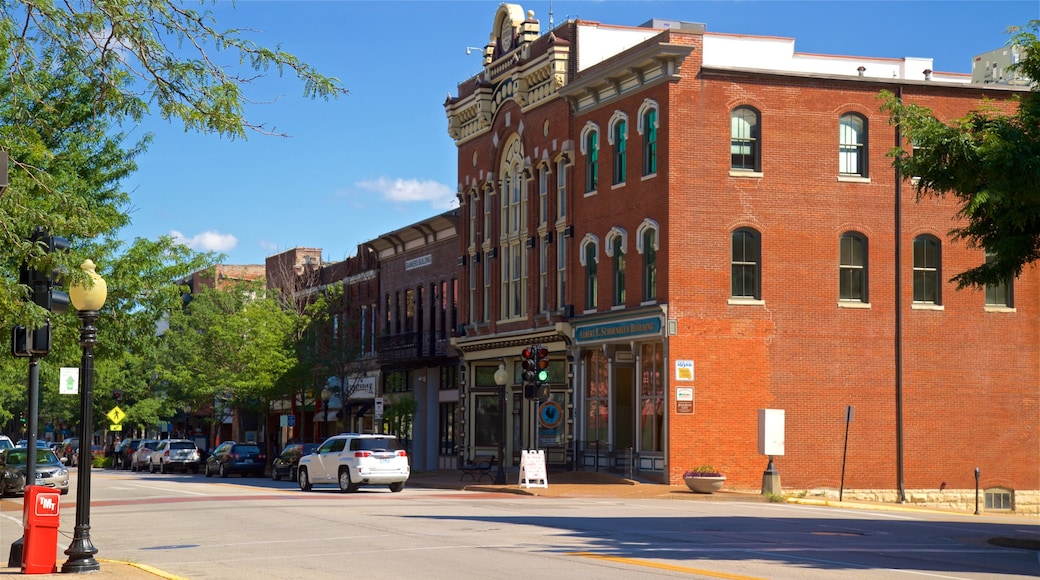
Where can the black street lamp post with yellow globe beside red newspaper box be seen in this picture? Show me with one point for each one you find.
(88, 302)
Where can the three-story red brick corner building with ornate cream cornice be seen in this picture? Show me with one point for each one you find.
(700, 227)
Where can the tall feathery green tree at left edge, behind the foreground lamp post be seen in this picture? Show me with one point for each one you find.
(76, 73)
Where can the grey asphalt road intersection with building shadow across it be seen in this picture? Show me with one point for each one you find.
(194, 528)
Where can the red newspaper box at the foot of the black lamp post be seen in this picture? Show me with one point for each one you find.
(40, 516)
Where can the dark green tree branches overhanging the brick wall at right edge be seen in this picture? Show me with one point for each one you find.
(990, 161)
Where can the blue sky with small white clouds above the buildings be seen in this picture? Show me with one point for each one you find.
(380, 159)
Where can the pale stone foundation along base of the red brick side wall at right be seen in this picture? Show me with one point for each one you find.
(1024, 503)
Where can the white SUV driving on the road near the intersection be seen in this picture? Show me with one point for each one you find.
(353, 461)
